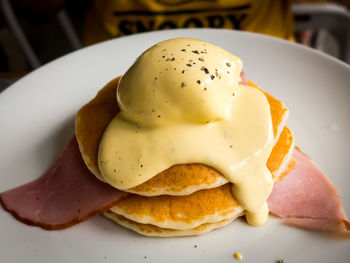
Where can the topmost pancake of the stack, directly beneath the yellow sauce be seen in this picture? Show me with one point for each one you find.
(182, 179)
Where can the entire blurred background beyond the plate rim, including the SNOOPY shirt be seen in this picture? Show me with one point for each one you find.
(34, 32)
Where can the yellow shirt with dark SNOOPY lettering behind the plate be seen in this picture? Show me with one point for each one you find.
(114, 18)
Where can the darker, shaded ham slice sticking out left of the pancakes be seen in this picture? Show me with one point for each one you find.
(67, 194)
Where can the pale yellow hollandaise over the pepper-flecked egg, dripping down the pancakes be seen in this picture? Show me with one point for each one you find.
(181, 103)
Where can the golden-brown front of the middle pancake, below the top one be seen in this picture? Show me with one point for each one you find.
(181, 212)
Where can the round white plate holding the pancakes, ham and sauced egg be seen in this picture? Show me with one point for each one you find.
(37, 116)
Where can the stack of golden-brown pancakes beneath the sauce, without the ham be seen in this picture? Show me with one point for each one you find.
(185, 199)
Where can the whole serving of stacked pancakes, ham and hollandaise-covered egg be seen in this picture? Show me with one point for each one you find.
(182, 144)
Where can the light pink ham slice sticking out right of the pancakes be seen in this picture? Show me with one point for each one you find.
(306, 198)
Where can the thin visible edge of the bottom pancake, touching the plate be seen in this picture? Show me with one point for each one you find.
(154, 231)
